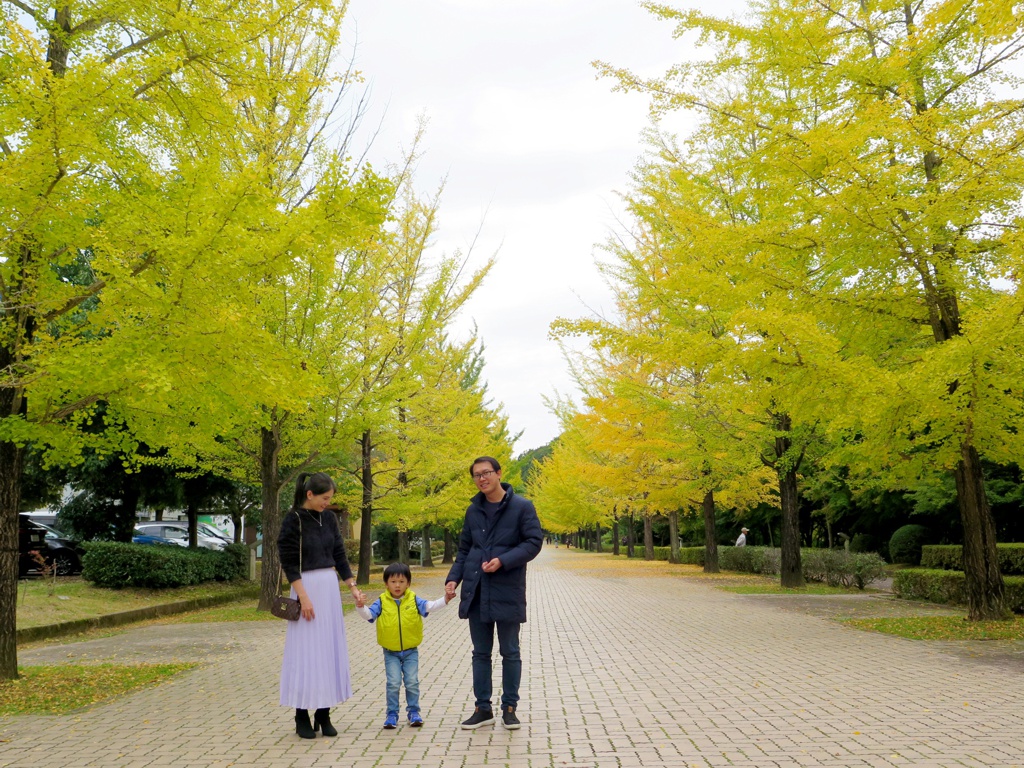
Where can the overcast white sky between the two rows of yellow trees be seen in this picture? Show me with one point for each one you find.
(533, 147)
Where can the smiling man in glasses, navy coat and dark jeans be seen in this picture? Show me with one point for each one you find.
(501, 534)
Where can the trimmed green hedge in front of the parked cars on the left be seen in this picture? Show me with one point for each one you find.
(115, 565)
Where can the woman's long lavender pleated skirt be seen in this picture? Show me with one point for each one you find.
(315, 673)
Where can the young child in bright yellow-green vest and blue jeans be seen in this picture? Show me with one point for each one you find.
(399, 616)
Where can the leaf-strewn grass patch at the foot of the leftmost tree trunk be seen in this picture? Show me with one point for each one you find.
(55, 691)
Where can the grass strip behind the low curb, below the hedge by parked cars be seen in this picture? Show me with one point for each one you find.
(74, 599)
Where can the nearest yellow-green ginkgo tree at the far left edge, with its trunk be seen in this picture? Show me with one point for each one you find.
(124, 215)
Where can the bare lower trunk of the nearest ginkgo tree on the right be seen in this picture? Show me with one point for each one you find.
(982, 565)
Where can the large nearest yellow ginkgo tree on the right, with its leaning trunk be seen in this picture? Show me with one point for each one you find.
(875, 161)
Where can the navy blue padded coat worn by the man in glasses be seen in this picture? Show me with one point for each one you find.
(516, 539)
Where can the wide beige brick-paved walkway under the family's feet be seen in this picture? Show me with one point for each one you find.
(625, 666)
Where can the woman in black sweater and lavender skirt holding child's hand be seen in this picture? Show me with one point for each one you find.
(315, 674)
